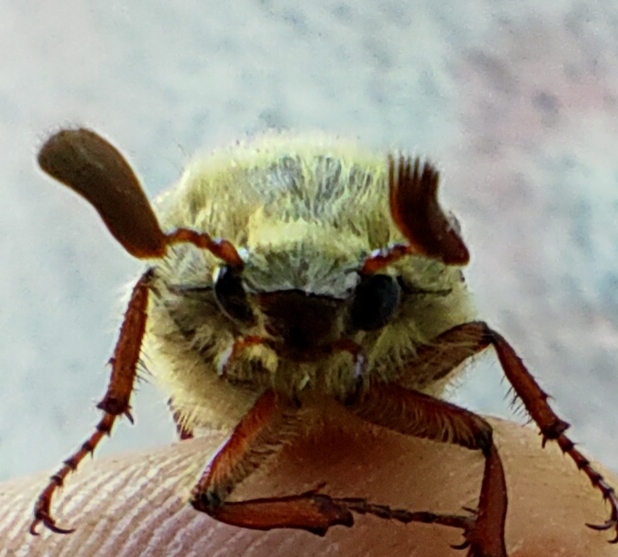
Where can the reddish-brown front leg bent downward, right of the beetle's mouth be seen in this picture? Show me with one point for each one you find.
(420, 415)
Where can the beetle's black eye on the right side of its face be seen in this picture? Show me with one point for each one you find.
(375, 301)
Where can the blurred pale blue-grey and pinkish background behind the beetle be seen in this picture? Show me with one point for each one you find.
(516, 102)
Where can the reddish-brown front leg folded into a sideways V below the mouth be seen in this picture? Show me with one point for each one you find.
(269, 425)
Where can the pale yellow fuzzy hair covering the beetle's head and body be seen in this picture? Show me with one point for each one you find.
(307, 211)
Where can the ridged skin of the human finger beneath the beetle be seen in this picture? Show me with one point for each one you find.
(143, 511)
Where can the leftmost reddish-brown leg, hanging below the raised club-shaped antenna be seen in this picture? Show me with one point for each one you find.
(114, 403)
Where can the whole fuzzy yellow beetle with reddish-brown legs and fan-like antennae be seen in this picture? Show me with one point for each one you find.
(288, 271)
